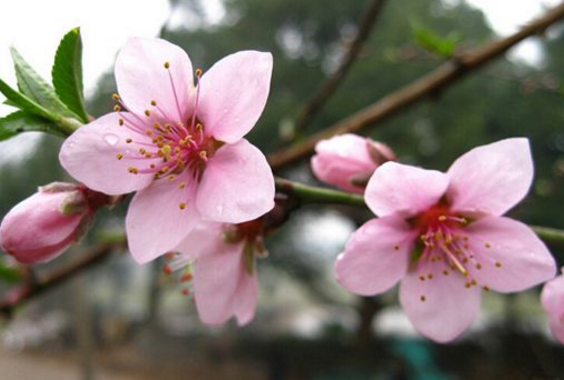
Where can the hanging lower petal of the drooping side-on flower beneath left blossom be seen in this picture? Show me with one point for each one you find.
(222, 286)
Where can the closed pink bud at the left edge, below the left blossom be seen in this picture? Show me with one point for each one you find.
(42, 226)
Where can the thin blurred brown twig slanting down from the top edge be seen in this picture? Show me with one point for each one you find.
(310, 110)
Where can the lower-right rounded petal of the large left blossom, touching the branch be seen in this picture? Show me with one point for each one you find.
(237, 185)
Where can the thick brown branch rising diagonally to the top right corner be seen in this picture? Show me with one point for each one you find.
(431, 84)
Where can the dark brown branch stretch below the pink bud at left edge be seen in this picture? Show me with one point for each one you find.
(35, 286)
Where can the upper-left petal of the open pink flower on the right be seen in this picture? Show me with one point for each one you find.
(404, 189)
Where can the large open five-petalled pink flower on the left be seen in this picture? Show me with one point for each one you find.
(180, 147)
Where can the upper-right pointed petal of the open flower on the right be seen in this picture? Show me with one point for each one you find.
(492, 178)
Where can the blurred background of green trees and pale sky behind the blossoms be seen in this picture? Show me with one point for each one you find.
(120, 321)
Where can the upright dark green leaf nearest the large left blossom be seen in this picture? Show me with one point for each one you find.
(67, 73)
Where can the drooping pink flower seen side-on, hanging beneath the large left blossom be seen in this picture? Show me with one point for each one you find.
(224, 278)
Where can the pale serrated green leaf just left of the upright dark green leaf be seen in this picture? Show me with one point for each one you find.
(36, 88)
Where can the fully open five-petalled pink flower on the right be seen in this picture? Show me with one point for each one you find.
(443, 236)
